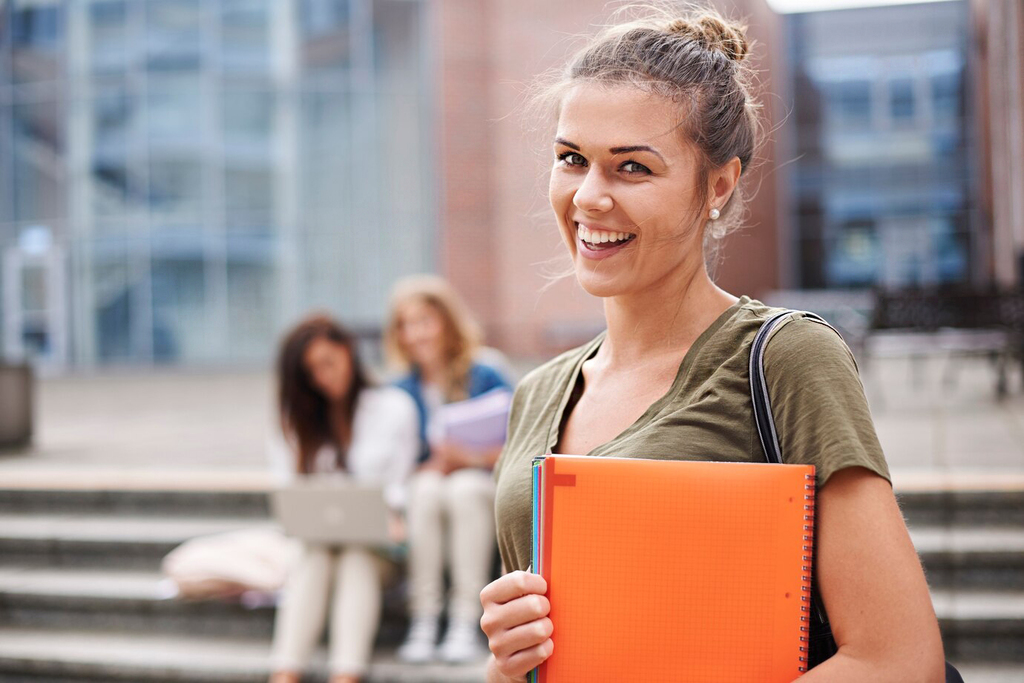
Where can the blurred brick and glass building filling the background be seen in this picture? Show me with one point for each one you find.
(181, 180)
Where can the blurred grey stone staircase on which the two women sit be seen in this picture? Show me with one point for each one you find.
(81, 597)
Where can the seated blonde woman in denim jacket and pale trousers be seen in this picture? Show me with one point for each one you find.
(432, 335)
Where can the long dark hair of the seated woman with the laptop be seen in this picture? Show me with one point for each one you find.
(304, 410)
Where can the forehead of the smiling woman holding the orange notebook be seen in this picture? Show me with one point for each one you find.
(611, 116)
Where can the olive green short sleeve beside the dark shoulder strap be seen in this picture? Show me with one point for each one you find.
(819, 402)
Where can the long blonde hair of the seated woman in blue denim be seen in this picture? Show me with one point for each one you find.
(462, 332)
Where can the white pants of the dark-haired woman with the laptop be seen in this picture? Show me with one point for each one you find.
(357, 576)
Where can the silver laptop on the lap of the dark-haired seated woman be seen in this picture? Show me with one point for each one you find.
(337, 513)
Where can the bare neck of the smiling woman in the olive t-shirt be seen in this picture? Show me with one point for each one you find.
(662, 320)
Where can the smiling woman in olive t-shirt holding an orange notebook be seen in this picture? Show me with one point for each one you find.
(656, 126)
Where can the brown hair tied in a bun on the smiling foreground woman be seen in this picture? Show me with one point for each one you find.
(696, 58)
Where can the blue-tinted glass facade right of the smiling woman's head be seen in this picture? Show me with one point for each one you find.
(882, 193)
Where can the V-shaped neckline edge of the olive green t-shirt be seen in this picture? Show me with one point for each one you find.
(590, 350)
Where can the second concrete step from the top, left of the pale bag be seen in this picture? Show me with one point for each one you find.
(137, 543)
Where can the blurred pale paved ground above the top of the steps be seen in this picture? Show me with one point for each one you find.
(938, 420)
